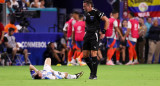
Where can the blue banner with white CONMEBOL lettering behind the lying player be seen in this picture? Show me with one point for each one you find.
(36, 44)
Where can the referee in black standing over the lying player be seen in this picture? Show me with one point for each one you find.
(91, 38)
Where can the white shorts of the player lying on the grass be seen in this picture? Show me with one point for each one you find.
(59, 75)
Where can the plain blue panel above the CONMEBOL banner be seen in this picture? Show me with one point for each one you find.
(48, 18)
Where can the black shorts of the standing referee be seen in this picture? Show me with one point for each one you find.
(91, 41)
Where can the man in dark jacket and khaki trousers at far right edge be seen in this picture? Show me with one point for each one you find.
(154, 42)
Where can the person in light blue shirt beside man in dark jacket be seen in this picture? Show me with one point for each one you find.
(148, 24)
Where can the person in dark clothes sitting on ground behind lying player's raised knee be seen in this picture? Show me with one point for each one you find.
(52, 53)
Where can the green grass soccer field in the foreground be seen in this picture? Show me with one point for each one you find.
(136, 75)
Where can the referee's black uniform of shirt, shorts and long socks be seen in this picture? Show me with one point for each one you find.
(91, 38)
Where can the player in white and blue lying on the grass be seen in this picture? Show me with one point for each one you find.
(49, 73)
